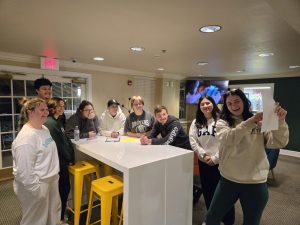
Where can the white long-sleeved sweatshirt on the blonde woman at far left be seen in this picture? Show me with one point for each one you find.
(35, 157)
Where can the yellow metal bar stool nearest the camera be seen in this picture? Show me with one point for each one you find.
(107, 188)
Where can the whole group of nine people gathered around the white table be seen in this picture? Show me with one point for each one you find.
(229, 145)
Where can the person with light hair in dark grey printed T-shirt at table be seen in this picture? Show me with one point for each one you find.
(139, 122)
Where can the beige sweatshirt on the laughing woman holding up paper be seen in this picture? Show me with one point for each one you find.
(242, 149)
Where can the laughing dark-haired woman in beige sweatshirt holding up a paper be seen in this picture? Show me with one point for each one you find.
(243, 162)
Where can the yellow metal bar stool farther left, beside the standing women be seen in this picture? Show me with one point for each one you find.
(80, 170)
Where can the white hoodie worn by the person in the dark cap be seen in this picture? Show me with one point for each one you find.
(108, 124)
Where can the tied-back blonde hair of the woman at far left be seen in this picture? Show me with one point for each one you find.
(28, 105)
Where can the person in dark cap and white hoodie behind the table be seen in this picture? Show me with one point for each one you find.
(112, 120)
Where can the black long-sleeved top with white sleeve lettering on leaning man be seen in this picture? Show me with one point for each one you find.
(172, 133)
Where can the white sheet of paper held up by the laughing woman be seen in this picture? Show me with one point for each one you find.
(270, 119)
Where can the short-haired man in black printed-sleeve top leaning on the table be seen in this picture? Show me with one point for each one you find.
(170, 129)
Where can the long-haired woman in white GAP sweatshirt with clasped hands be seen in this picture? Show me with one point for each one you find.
(204, 142)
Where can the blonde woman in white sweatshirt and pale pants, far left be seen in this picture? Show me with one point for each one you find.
(36, 167)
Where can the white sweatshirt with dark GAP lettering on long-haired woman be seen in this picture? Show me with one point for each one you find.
(204, 141)
